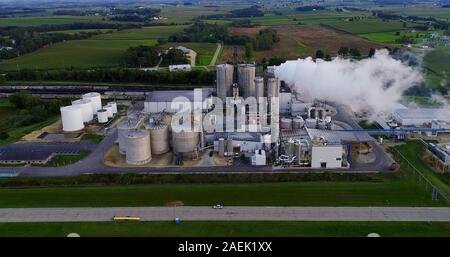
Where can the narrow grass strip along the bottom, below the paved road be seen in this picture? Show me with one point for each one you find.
(227, 229)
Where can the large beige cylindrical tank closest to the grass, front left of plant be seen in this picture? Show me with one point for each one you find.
(138, 147)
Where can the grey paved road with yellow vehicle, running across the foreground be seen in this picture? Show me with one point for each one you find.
(228, 213)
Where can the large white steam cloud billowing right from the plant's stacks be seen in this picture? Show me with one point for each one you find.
(375, 84)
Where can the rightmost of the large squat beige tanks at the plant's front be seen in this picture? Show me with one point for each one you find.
(184, 141)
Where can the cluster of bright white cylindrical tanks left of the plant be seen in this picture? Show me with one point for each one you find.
(89, 105)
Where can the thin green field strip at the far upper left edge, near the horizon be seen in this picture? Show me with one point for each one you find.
(46, 20)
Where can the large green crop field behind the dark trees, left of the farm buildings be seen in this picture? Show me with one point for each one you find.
(105, 50)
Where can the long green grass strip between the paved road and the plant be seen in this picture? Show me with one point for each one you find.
(390, 190)
